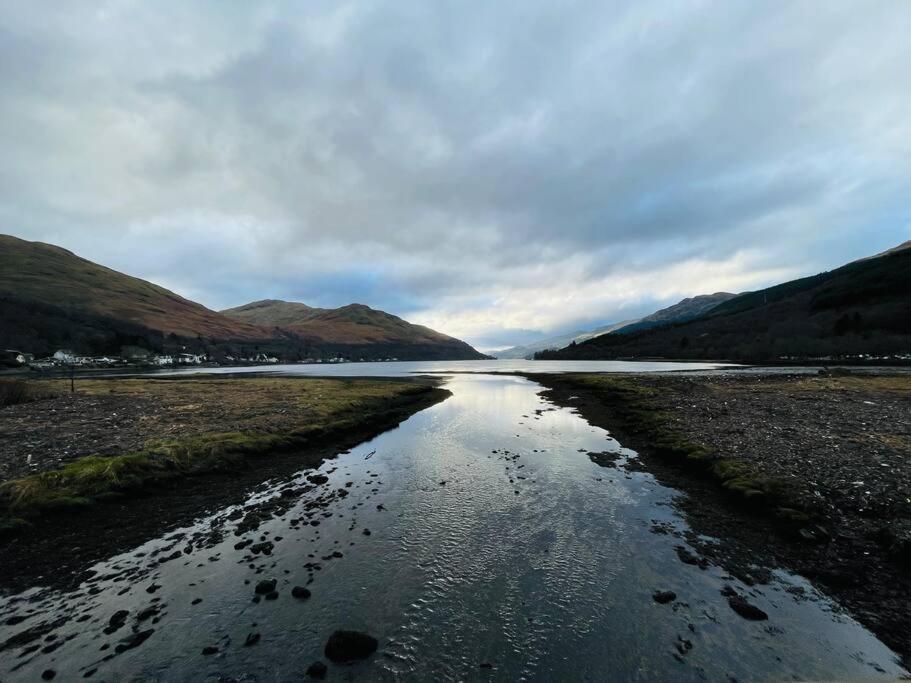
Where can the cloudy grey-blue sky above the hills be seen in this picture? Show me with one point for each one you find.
(498, 171)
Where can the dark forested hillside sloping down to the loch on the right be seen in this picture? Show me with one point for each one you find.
(863, 307)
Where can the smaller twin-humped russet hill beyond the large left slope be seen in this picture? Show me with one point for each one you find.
(354, 329)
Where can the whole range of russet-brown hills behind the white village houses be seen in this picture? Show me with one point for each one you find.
(50, 298)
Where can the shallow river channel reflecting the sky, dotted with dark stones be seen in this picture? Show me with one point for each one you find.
(529, 558)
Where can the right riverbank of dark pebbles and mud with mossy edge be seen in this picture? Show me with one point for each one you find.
(812, 473)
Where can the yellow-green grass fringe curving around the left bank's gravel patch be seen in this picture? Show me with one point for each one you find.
(265, 407)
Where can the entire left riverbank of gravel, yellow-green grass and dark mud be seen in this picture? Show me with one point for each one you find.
(121, 460)
